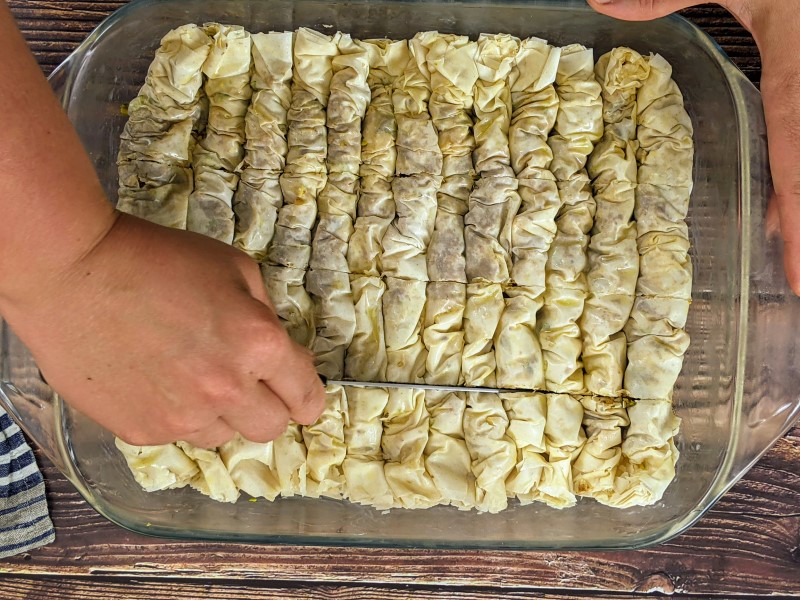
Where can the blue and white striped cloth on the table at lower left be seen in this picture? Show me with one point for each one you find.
(24, 521)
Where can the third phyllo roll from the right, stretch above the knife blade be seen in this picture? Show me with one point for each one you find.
(579, 124)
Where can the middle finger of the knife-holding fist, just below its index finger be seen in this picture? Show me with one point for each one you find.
(261, 417)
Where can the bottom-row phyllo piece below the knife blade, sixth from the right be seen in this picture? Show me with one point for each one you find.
(447, 458)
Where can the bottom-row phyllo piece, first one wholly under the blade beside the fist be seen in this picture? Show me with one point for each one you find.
(363, 467)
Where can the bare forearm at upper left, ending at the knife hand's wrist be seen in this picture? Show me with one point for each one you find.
(52, 207)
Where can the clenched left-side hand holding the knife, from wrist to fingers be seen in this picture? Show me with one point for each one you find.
(164, 335)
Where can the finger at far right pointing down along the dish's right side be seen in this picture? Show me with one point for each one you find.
(780, 88)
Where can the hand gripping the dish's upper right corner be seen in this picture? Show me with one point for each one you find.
(775, 25)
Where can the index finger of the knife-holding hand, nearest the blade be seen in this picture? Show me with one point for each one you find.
(288, 370)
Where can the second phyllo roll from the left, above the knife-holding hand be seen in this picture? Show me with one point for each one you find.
(220, 152)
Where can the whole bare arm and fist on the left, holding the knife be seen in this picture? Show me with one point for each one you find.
(156, 334)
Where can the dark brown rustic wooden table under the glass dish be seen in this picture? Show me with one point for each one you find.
(748, 544)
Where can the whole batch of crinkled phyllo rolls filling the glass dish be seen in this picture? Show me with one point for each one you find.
(441, 210)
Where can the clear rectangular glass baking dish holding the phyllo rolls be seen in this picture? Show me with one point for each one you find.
(740, 387)
